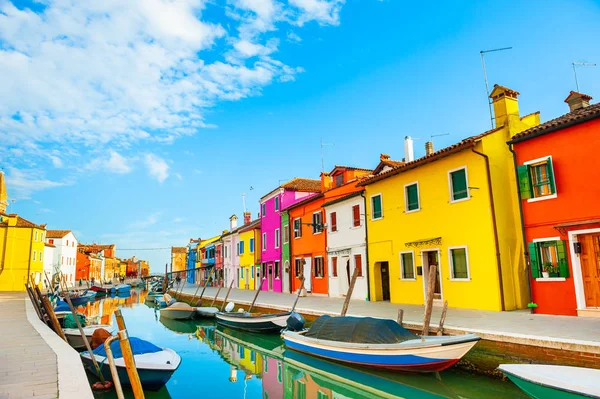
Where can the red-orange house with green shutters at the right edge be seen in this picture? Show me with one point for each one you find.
(556, 163)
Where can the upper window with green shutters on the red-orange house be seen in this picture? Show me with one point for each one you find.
(536, 179)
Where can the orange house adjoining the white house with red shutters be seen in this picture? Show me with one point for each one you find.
(308, 238)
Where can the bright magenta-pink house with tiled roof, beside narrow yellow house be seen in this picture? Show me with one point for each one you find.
(283, 196)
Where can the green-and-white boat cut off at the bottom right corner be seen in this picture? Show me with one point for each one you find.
(556, 382)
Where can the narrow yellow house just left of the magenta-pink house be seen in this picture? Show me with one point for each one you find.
(248, 249)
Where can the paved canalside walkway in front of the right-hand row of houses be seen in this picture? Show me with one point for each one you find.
(521, 326)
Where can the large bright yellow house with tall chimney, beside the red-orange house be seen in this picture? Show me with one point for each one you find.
(456, 208)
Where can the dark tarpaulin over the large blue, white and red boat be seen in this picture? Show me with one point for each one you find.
(363, 330)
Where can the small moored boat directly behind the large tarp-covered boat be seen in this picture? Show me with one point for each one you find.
(254, 322)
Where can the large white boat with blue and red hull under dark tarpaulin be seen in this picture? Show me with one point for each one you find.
(378, 343)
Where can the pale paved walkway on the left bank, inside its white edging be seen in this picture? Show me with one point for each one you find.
(27, 364)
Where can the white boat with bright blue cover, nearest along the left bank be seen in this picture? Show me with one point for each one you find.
(154, 365)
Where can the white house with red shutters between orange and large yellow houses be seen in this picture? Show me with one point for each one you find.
(346, 245)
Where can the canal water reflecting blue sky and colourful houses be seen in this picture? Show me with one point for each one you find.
(219, 362)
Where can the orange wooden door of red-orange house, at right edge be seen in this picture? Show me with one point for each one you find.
(590, 268)
